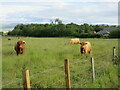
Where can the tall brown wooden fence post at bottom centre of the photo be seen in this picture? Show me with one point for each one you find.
(67, 74)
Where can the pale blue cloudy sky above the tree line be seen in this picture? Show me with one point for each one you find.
(42, 11)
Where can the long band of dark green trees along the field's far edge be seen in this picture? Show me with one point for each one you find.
(57, 29)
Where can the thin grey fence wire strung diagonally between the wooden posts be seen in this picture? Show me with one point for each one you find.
(48, 71)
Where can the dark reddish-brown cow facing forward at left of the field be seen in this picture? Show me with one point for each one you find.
(19, 47)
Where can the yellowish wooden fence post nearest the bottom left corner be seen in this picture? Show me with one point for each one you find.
(26, 80)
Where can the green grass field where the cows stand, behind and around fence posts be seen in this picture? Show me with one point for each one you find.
(42, 54)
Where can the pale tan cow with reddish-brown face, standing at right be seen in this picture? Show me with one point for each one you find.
(86, 48)
